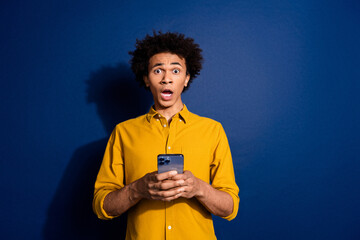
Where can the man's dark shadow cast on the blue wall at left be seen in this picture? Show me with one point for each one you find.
(118, 97)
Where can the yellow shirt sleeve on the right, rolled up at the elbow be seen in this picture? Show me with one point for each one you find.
(222, 171)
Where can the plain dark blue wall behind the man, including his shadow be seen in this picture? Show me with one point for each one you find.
(281, 76)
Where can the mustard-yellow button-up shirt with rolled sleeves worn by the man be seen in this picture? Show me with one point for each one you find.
(132, 152)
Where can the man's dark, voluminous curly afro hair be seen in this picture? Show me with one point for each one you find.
(175, 43)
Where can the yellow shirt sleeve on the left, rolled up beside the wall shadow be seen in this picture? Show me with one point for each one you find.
(111, 175)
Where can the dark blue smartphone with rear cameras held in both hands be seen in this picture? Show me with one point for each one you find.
(170, 162)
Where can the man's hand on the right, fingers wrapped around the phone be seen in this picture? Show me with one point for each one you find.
(191, 185)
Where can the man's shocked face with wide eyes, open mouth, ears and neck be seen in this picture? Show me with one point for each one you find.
(166, 79)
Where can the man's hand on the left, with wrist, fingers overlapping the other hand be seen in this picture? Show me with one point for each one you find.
(157, 187)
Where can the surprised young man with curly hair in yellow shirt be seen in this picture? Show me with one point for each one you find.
(167, 205)
